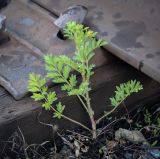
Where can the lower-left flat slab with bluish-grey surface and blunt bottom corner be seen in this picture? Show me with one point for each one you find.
(16, 62)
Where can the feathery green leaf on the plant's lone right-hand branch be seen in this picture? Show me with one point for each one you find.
(125, 90)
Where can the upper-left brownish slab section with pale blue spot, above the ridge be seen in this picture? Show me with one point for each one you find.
(36, 28)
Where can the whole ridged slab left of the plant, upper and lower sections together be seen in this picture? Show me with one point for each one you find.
(33, 34)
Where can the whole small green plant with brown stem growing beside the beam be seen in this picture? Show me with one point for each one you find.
(61, 70)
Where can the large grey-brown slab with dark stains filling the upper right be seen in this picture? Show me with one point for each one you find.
(131, 27)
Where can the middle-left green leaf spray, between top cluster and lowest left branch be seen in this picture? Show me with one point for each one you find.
(60, 72)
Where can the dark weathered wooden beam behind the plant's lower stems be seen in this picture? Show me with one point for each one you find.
(24, 113)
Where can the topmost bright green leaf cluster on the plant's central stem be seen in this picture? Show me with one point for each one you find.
(85, 42)
